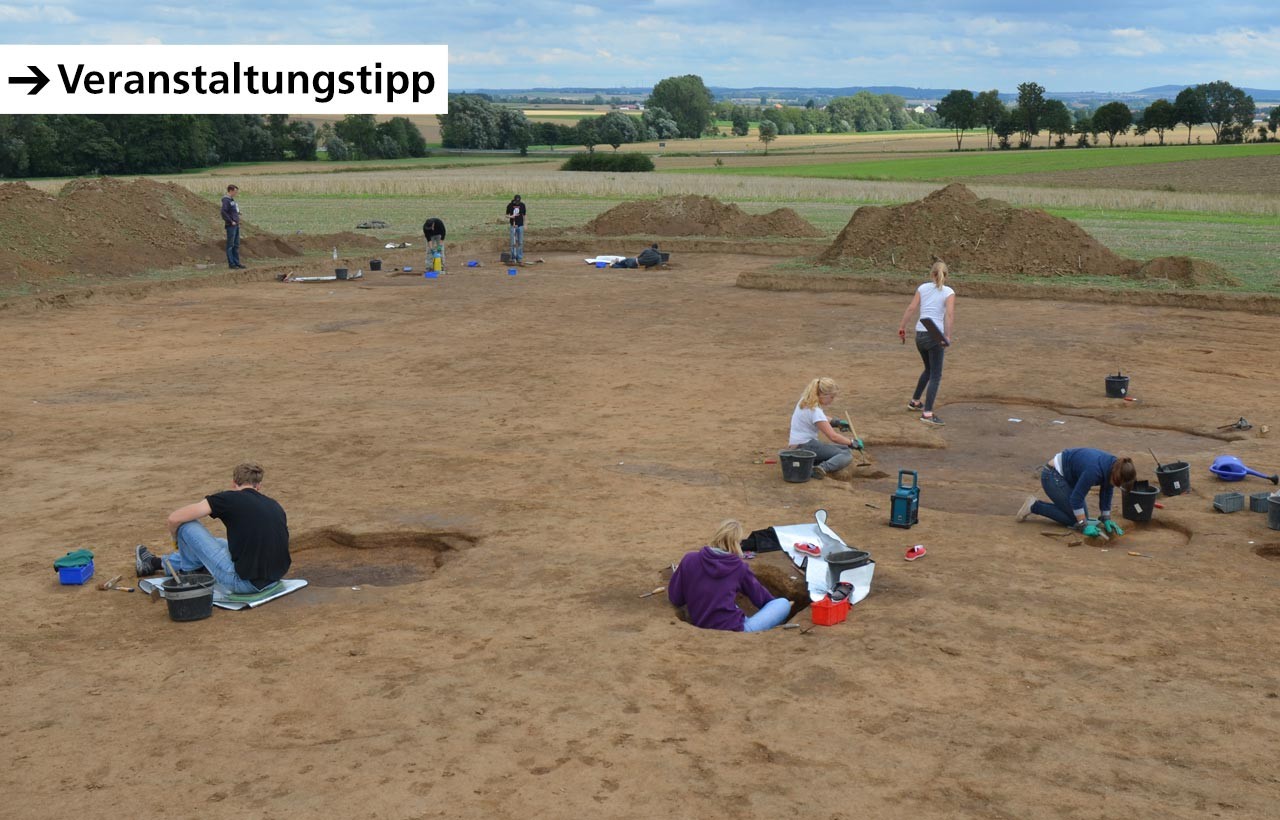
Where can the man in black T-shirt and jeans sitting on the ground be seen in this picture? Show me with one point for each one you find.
(254, 556)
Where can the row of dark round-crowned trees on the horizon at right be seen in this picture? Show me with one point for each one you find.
(1227, 109)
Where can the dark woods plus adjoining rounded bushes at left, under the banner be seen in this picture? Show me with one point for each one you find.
(76, 145)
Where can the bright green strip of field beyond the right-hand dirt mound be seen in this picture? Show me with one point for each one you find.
(959, 166)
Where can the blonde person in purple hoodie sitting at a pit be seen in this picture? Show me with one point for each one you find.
(708, 581)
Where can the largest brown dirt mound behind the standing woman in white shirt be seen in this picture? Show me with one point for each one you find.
(972, 235)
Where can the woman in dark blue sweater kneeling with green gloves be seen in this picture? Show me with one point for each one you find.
(1068, 479)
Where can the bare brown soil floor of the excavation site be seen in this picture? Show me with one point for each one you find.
(487, 474)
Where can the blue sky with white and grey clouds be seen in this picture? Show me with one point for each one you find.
(1081, 45)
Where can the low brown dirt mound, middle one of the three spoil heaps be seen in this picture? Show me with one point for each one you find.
(697, 217)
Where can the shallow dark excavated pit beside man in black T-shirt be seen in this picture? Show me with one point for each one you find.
(335, 558)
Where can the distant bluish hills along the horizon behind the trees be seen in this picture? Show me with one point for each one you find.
(801, 95)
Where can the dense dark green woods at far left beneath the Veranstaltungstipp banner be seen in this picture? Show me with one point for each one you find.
(71, 145)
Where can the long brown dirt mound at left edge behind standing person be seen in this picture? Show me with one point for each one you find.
(109, 228)
